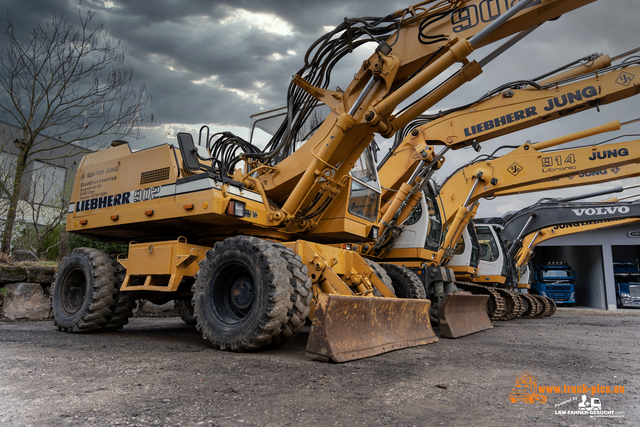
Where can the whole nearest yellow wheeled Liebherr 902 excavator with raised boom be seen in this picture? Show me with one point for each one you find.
(242, 231)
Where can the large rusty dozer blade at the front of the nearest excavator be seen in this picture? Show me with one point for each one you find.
(348, 328)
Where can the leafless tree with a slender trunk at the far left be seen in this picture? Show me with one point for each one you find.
(62, 87)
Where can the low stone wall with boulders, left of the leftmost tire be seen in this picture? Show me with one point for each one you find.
(25, 291)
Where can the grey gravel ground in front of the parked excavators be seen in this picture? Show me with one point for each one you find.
(157, 371)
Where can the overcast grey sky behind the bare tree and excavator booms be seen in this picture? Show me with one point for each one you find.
(218, 62)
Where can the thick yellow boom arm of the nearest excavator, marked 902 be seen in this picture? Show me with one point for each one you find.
(426, 43)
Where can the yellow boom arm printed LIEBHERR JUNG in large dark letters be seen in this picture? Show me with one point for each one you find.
(508, 111)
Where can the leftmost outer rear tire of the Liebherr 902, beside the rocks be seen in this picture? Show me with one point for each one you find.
(83, 290)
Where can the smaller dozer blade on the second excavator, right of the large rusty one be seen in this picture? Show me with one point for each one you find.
(463, 314)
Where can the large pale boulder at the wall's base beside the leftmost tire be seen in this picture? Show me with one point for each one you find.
(27, 302)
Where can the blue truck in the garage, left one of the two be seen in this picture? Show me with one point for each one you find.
(556, 281)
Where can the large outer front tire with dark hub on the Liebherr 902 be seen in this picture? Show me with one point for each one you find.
(242, 294)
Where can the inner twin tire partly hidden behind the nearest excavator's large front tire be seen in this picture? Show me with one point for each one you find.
(301, 295)
